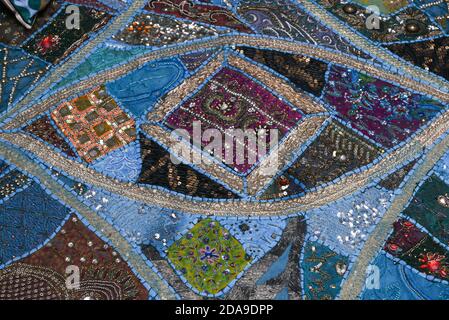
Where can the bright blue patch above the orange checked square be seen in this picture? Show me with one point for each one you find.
(139, 90)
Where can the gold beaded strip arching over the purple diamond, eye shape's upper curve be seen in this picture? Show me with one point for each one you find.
(320, 53)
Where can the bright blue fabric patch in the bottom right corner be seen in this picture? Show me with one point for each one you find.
(398, 282)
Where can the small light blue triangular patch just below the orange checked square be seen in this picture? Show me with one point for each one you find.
(124, 164)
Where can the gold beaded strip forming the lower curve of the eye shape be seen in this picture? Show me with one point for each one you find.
(315, 198)
